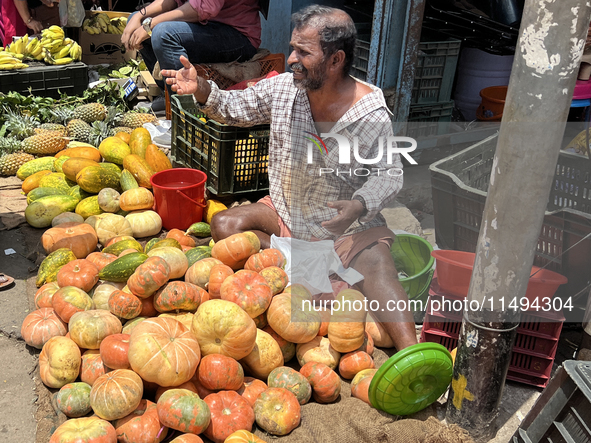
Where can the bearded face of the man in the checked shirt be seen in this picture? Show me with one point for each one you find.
(307, 59)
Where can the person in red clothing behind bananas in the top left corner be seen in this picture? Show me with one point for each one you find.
(20, 17)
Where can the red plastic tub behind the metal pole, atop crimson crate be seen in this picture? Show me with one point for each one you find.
(454, 271)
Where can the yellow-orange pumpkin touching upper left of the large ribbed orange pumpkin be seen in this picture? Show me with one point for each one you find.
(89, 328)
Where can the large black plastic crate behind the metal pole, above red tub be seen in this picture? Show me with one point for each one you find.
(459, 185)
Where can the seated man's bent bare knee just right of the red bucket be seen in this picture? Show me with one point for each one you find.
(257, 218)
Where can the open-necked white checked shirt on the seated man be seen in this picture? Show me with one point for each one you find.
(297, 189)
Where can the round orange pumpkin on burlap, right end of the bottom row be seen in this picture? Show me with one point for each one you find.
(277, 411)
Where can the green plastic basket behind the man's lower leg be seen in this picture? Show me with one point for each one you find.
(412, 255)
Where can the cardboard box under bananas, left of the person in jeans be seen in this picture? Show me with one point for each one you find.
(104, 48)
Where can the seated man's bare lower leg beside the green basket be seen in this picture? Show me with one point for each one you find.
(381, 283)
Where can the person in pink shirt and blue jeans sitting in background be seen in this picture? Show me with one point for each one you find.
(205, 31)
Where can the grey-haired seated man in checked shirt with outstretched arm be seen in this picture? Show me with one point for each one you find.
(319, 97)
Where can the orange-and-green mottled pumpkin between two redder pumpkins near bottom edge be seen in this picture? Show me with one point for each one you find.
(184, 411)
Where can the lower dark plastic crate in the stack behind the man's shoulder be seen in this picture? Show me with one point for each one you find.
(429, 120)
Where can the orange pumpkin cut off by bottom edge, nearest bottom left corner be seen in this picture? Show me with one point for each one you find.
(85, 429)
